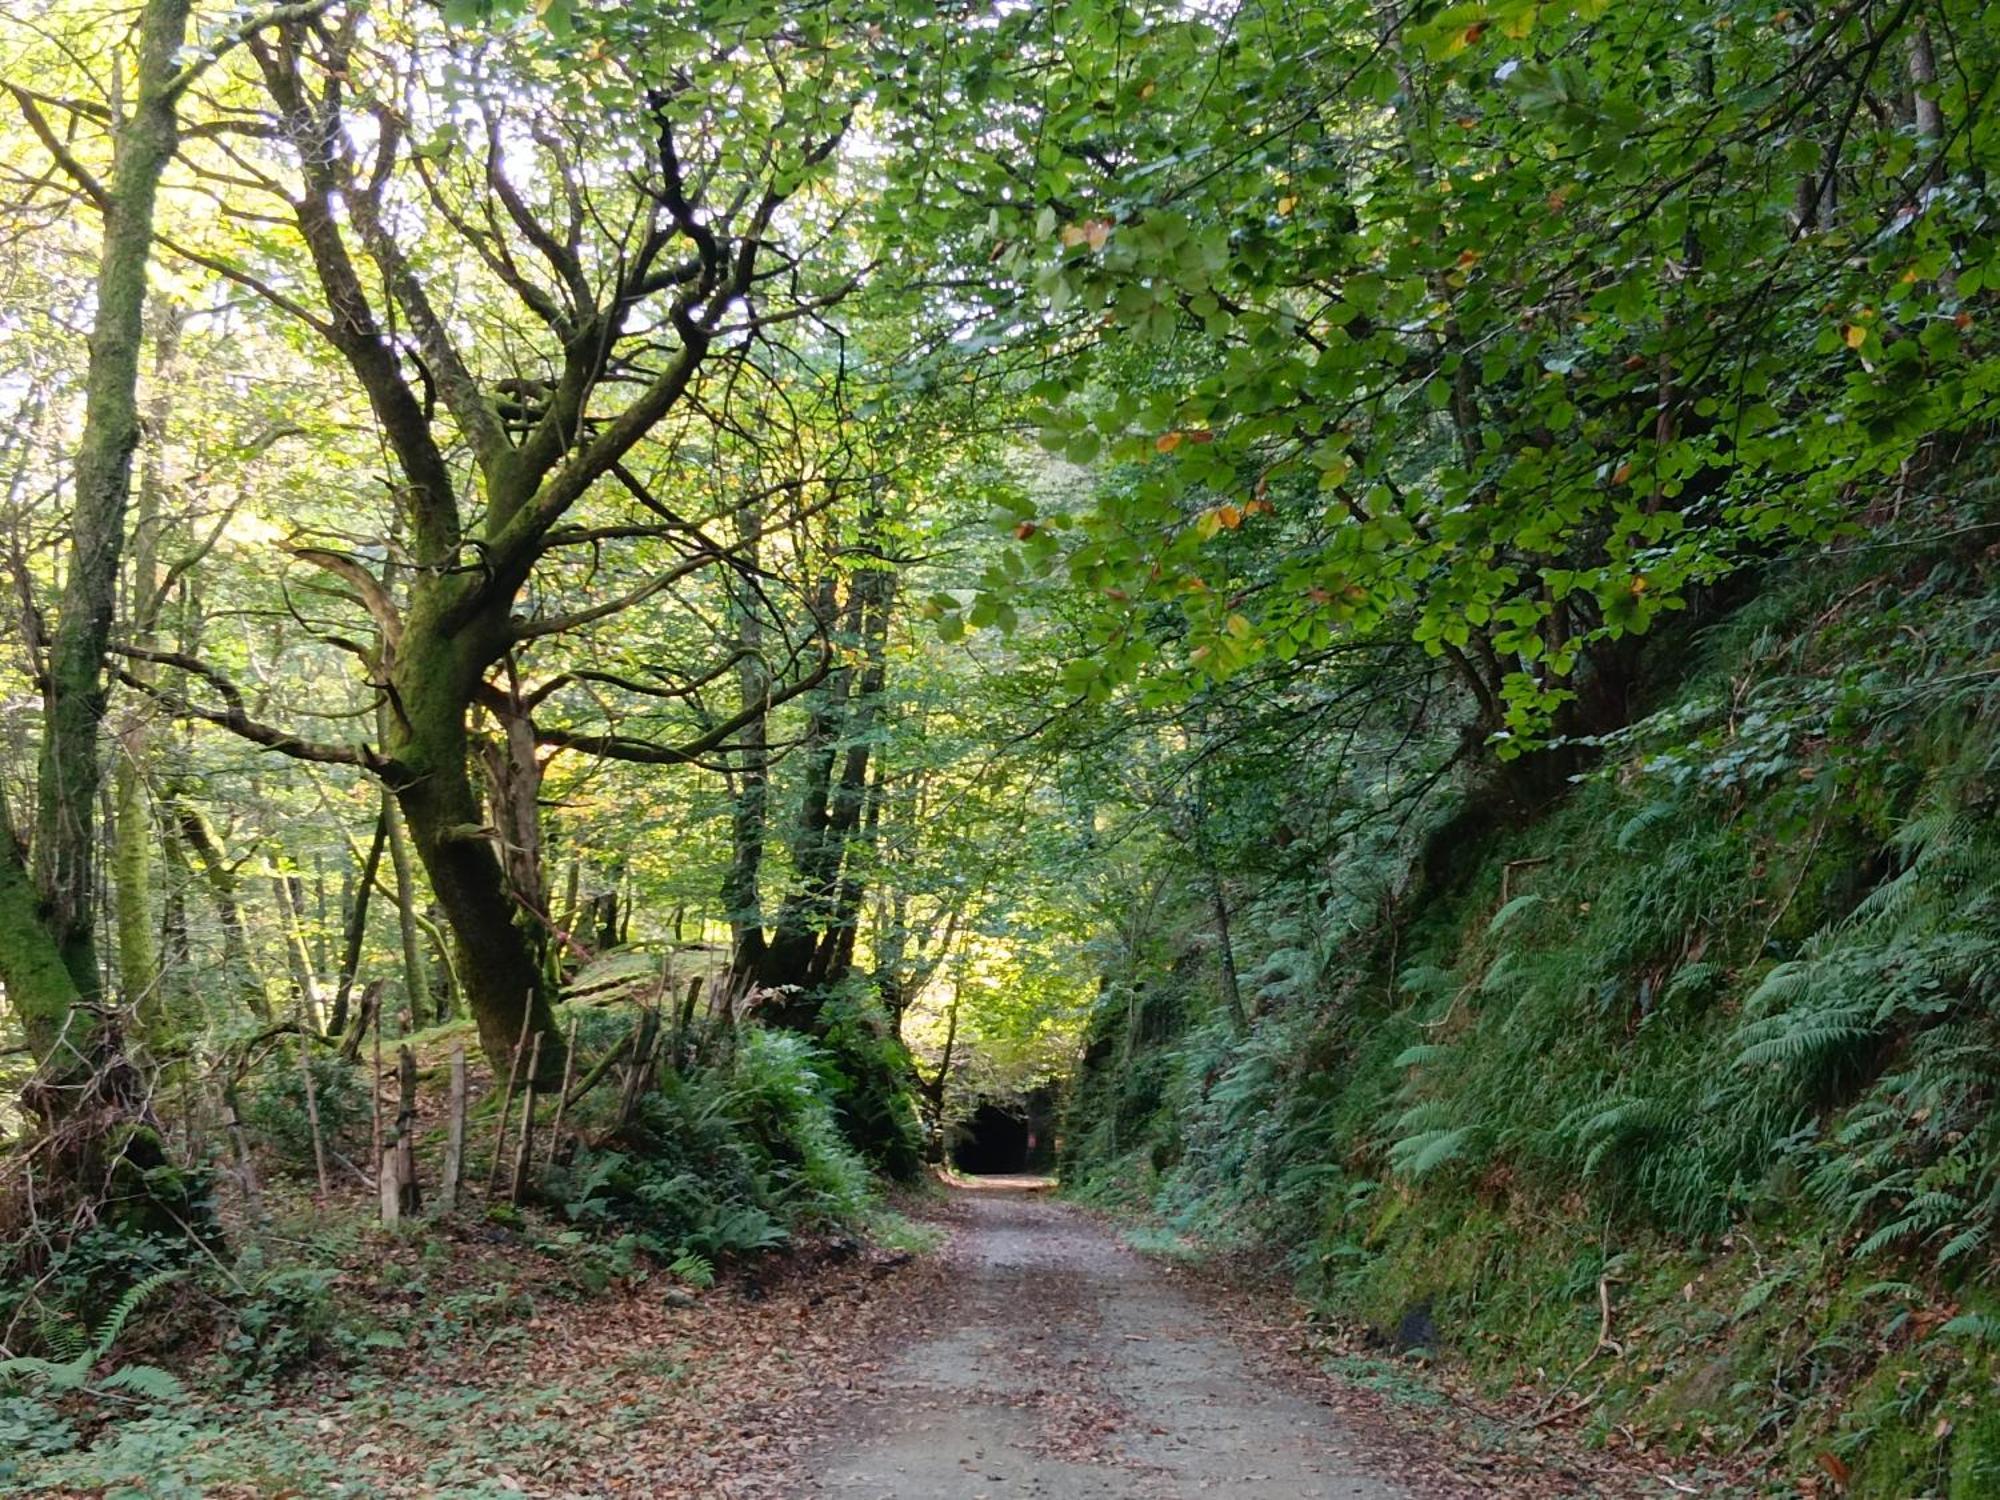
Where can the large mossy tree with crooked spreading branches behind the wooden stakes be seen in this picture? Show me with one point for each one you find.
(627, 229)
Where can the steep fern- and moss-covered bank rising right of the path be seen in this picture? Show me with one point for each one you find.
(1675, 1097)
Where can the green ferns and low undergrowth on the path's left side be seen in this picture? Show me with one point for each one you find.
(715, 1167)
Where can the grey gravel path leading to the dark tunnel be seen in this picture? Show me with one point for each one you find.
(1065, 1367)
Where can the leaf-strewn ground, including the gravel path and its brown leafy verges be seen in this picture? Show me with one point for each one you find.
(1035, 1355)
